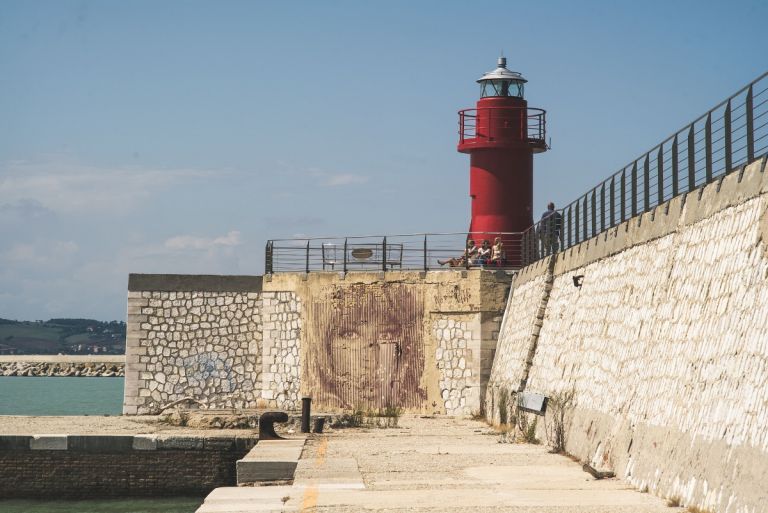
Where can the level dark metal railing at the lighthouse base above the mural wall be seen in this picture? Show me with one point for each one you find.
(420, 251)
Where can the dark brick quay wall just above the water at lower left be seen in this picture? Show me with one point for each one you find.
(78, 467)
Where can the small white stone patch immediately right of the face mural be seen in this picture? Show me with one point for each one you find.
(458, 362)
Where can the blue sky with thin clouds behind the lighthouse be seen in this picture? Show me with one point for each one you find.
(178, 136)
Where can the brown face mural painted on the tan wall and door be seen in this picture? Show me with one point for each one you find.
(366, 348)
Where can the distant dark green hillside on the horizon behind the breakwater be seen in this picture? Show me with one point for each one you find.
(65, 336)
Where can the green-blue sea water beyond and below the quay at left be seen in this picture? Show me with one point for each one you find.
(76, 396)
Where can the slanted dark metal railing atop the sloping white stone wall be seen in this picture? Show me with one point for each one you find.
(732, 134)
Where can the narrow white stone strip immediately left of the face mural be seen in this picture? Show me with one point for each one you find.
(281, 365)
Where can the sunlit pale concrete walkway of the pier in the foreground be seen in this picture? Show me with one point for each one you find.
(433, 465)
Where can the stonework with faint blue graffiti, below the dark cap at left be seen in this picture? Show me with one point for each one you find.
(198, 345)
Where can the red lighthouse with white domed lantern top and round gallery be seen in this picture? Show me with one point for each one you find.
(501, 135)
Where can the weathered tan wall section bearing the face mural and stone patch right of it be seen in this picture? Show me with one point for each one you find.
(423, 341)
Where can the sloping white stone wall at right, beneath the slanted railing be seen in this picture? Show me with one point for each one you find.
(663, 350)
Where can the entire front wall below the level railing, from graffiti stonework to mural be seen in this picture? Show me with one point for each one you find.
(422, 342)
